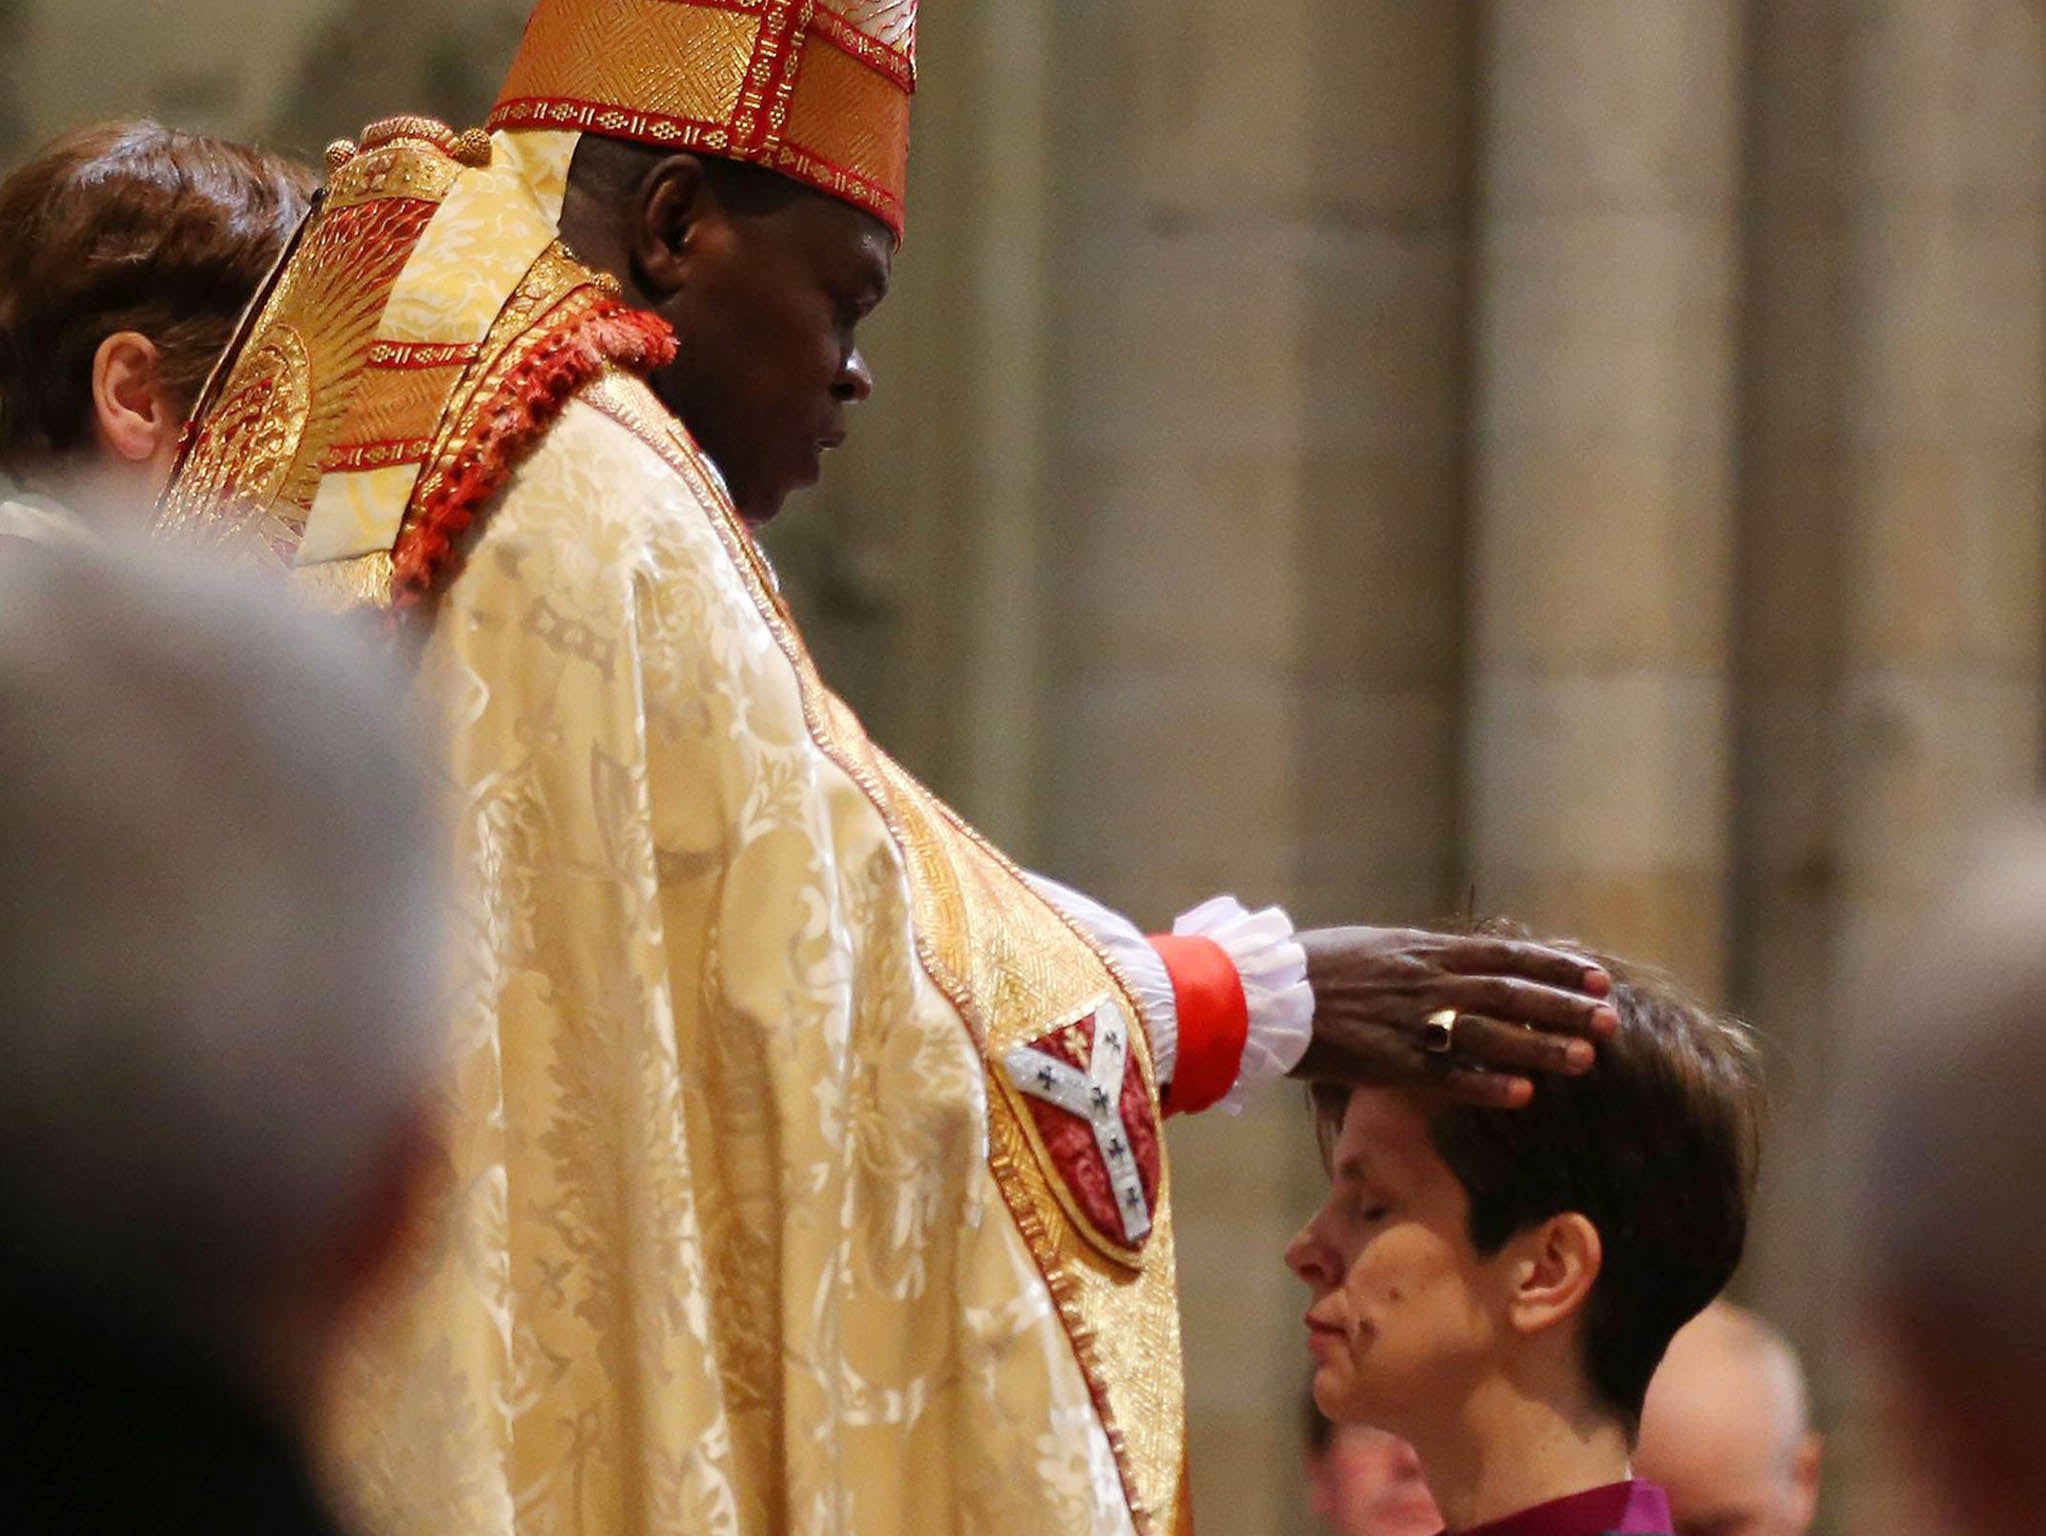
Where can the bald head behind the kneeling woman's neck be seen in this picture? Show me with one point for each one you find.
(1728, 1431)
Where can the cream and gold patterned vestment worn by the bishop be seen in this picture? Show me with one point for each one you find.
(805, 1169)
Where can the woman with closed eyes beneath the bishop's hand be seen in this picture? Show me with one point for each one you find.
(1497, 1287)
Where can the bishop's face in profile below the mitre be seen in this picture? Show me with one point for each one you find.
(768, 320)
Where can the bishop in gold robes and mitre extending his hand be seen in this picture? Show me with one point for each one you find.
(813, 1148)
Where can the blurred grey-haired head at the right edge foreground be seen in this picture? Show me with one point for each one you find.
(1947, 1159)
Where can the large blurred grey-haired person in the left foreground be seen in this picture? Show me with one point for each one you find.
(220, 930)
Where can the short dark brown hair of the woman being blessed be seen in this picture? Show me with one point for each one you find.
(1658, 1148)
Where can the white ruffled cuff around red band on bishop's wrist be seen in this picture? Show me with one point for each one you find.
(1270, 962)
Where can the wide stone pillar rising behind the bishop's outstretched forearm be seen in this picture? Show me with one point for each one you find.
(1257, 664)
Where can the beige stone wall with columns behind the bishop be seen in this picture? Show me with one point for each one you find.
(1576, 457)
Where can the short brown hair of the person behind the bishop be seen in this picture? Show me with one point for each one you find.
(128, 228)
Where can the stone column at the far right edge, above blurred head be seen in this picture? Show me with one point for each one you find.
(1945, 467)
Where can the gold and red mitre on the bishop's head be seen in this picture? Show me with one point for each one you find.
(811, 89)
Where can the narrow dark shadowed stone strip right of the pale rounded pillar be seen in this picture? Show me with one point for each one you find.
(1795, 594)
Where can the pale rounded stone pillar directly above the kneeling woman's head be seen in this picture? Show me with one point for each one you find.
(1605, 473)
